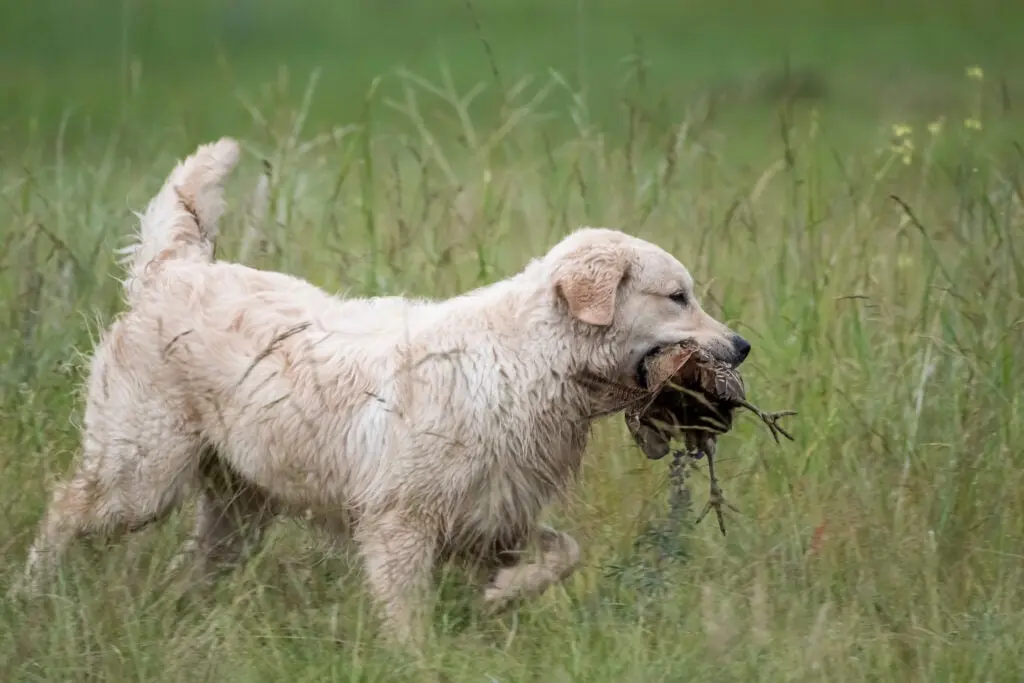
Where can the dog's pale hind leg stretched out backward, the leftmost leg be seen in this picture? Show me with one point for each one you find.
(118, 488)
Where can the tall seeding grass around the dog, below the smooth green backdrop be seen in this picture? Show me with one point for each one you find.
(884, 302)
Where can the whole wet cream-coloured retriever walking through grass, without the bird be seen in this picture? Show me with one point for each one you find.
(425, 431)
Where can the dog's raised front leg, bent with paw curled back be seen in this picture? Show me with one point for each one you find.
(560, 559)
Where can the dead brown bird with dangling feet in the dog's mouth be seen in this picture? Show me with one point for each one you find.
(688, 394)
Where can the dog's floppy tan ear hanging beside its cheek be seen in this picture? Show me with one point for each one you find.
(588, 281)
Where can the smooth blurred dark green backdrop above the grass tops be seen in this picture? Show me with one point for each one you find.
(190, 68)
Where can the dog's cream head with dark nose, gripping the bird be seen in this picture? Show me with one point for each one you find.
(636, 298)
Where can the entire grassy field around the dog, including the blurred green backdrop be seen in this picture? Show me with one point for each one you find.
(866, 237)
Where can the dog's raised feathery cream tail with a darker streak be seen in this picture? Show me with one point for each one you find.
(181, 223)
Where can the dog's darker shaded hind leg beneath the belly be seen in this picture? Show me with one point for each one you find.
(232, 518)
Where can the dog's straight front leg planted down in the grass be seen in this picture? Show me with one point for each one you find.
(399, 557)
